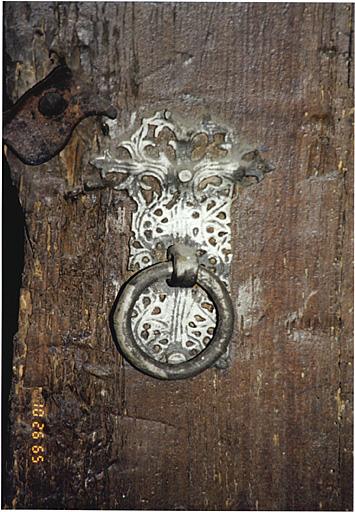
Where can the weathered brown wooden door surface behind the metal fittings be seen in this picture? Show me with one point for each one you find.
(274, 431)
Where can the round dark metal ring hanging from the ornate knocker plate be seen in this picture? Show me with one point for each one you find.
(138, 358)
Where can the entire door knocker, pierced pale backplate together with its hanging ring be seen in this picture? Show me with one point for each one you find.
(174, 319)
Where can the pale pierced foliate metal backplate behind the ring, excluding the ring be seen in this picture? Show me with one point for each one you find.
(182, 179)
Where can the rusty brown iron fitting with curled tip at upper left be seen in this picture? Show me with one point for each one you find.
(41, 122)
